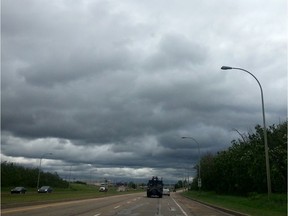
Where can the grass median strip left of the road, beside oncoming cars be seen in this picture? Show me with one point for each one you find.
(74, 192)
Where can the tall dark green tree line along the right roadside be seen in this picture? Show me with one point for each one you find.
(241, 169)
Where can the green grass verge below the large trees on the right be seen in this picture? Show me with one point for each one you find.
(255, 204)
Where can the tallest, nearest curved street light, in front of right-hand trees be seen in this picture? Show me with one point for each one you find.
(264, 127)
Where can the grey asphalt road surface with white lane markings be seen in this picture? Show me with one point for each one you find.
(132, 204)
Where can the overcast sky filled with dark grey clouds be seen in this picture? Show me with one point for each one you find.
(109, 87)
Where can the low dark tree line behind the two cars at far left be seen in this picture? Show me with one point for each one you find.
(13, 175)
